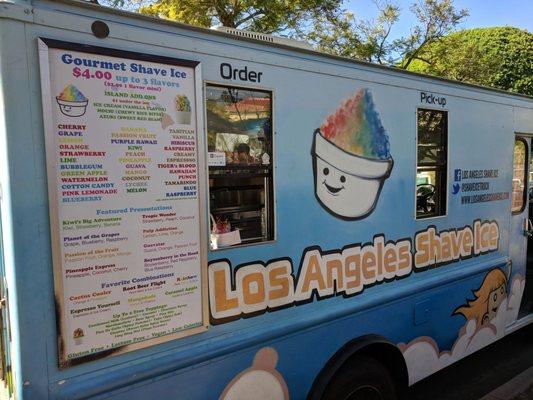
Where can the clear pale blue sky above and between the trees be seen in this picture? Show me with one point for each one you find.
(483, 13)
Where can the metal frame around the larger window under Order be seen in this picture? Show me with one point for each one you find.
(270, 90)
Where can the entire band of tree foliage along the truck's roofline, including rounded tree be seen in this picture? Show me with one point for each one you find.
(499, 57)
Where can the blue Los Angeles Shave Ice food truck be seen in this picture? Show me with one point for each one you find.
(219, 214)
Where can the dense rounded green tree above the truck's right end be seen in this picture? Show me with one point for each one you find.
(500, 57)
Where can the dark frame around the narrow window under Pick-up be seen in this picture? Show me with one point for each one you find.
(434, 167)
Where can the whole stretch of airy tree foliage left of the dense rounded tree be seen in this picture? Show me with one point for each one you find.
(321, 22)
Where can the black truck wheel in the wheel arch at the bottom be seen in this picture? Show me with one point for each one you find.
(362, 378)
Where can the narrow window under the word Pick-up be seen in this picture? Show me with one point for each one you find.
(431, 169)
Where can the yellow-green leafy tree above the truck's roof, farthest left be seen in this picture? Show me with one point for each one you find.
(290, 18)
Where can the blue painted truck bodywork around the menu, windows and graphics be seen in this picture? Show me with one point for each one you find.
(306, 88)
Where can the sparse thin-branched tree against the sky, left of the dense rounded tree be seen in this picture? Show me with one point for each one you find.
(371, 40)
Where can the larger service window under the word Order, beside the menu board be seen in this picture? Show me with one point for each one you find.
(240, 162)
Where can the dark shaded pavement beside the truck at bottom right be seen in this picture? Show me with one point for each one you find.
(501, 371)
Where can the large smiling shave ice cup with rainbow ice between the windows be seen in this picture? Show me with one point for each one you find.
(351, 158)
